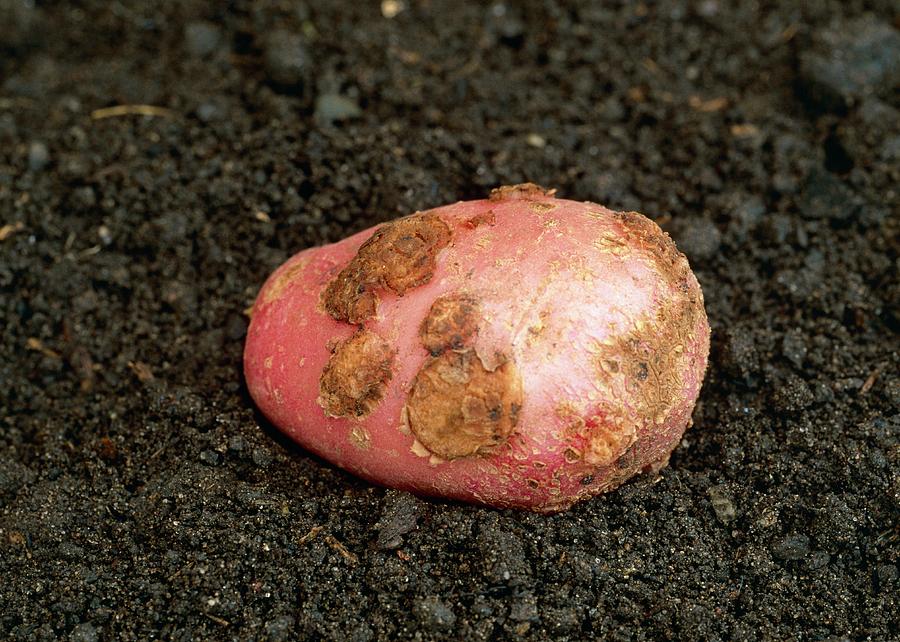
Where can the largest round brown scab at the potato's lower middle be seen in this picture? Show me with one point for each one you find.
(458, 408)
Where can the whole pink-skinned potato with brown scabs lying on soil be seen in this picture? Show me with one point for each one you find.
(569, 356)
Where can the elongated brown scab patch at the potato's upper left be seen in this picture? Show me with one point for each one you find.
(399, 255)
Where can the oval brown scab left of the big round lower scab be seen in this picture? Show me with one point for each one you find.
(353, 381)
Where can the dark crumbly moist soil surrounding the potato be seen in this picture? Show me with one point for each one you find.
(142, 496)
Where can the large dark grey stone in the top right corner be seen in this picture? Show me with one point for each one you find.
(849, 62)
